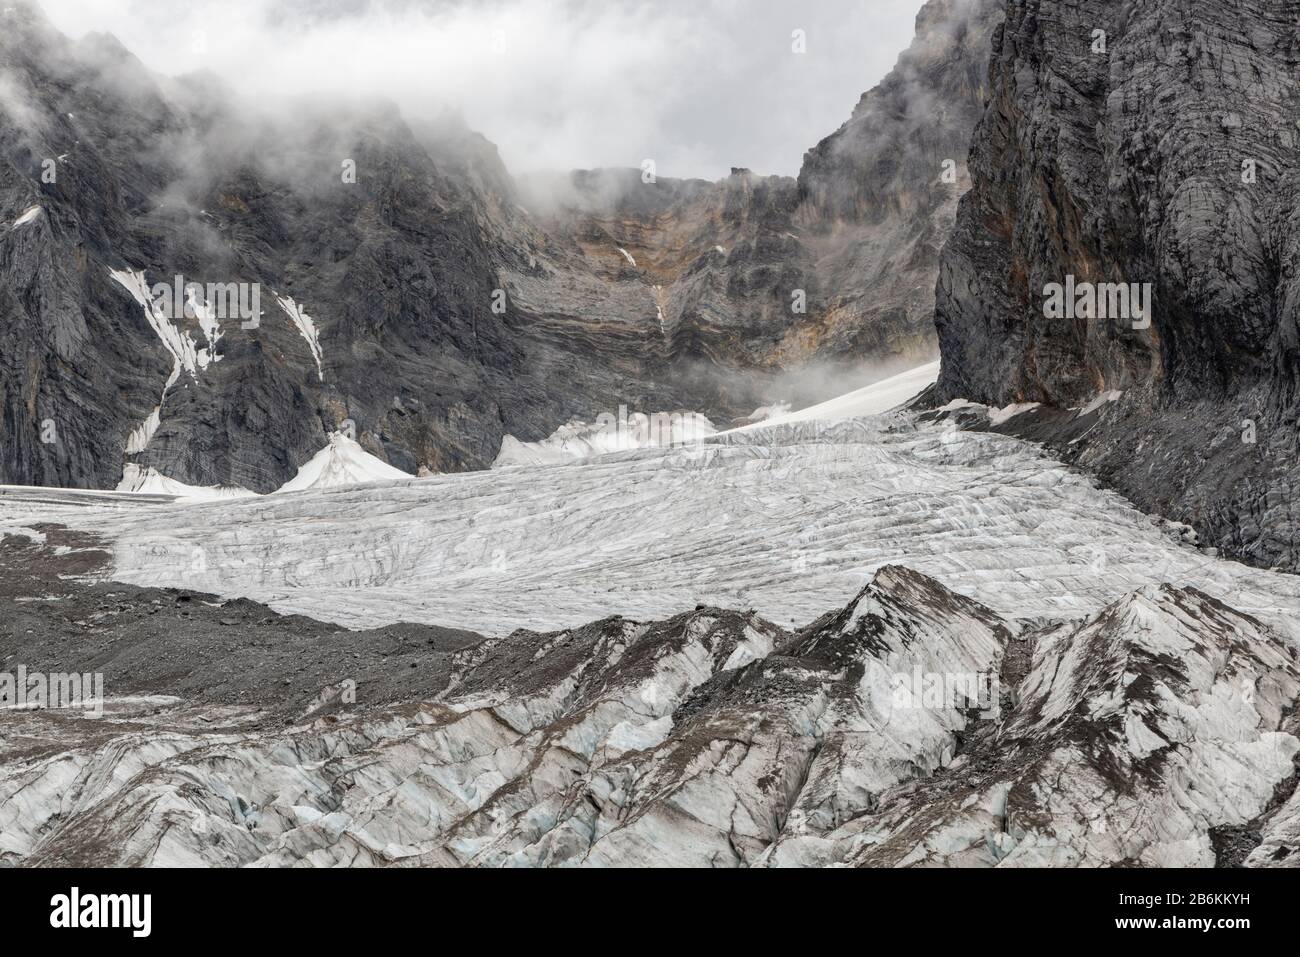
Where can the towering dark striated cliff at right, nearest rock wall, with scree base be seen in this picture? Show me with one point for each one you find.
(1143, 144)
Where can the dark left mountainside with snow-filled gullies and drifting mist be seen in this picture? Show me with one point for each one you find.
(398, 270)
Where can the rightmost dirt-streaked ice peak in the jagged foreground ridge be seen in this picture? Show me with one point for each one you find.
(1137, 738)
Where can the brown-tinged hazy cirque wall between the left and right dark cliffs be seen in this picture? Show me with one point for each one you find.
(855, 239)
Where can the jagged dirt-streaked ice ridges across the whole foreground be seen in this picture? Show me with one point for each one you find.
(716, 739)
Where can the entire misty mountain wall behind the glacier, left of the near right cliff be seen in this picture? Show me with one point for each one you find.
(448, 311)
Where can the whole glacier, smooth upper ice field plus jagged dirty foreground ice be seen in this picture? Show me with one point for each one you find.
(1143, 690)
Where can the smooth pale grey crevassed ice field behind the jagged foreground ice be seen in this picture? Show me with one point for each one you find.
(783, 519)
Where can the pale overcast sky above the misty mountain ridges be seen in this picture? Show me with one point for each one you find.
(697, 85)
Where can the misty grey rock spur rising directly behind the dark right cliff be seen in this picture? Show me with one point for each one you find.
(881, 194)
